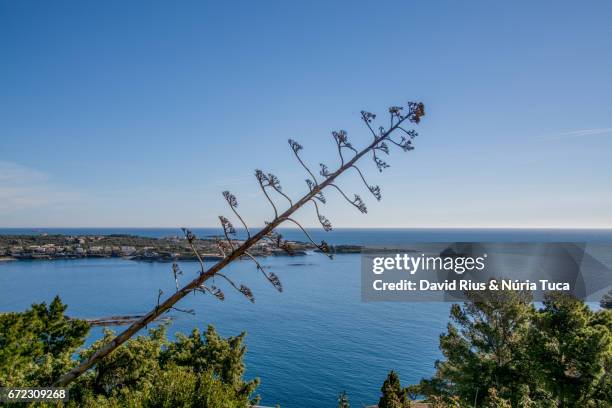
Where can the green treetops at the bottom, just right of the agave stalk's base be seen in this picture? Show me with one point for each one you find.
(149, 371)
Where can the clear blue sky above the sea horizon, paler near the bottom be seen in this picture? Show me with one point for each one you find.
(141, 113)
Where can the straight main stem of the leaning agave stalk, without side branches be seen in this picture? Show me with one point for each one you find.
(215, 269)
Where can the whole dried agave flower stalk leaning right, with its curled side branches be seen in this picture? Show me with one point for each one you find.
(235, 250)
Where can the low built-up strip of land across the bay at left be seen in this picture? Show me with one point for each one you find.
(47, 247)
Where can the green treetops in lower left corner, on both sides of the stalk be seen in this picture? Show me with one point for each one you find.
(37, 346)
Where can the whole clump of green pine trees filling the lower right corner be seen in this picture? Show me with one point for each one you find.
(500, 351)
